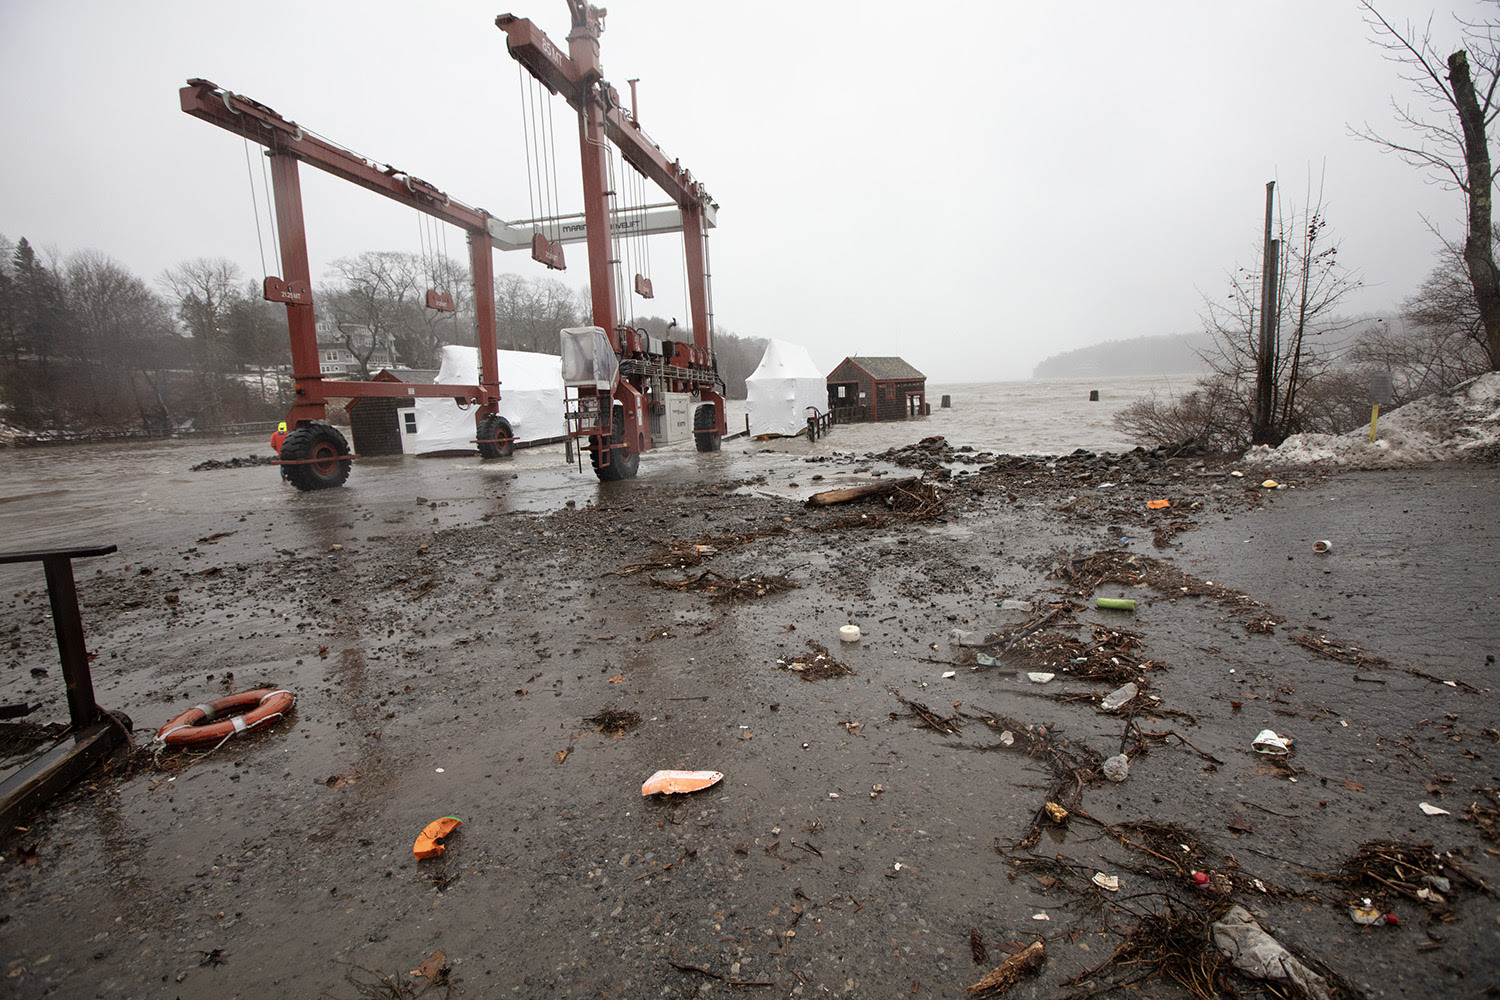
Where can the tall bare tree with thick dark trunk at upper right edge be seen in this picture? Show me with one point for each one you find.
(1451, 137)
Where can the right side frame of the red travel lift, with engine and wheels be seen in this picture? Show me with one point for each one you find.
(614, 421)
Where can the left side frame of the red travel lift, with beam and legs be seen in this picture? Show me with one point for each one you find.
(316, 455)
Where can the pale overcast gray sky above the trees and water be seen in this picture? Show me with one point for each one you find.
(973, 187)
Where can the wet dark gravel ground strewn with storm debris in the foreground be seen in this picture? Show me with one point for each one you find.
(446, 653)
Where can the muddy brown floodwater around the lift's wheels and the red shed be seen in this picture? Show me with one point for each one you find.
(148, 493)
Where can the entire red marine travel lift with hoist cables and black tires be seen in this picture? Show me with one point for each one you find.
(617, 410)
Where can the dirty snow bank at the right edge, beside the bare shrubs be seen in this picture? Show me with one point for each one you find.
(1459, 424)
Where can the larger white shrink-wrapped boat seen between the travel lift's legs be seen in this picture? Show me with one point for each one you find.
(530, 400)
